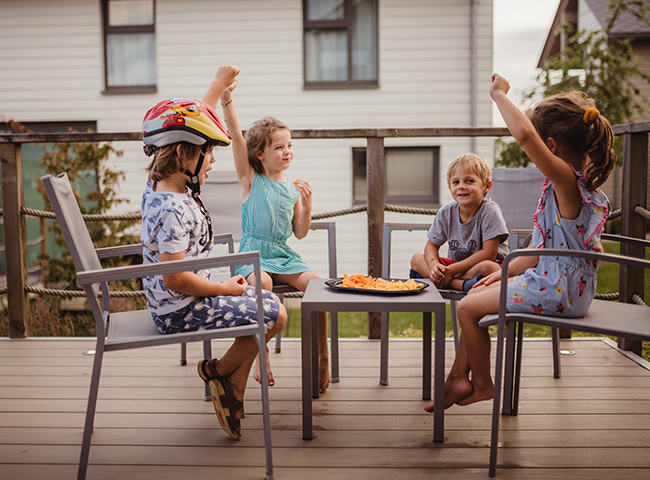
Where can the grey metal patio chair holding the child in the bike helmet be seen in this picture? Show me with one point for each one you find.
(136, 329)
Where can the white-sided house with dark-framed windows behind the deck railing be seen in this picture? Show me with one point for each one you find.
(314, 64)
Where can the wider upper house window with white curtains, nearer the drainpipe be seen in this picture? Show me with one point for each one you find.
(340, 46)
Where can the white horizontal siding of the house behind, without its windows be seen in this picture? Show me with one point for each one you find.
(51, 70)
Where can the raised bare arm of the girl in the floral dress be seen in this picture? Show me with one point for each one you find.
(553, 167)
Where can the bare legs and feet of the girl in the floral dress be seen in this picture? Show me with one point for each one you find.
(473, 351)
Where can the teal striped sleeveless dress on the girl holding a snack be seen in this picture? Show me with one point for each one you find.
(267, 223)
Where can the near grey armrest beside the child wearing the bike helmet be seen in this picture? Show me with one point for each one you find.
(176, 266)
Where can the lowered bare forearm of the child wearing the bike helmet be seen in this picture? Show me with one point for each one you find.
(190, 283)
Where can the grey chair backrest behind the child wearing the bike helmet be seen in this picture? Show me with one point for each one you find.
(71, 222)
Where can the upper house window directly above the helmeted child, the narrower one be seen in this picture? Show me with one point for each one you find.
(129, 46)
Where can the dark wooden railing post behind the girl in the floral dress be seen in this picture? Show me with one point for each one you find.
(635, 175)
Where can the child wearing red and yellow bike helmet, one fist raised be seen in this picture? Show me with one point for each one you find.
(180, 134)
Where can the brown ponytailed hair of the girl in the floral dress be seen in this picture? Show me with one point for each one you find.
(564, 118)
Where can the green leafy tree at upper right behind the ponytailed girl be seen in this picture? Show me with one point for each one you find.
(602, 66)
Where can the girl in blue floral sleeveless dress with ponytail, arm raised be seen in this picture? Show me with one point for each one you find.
(572, 145)
